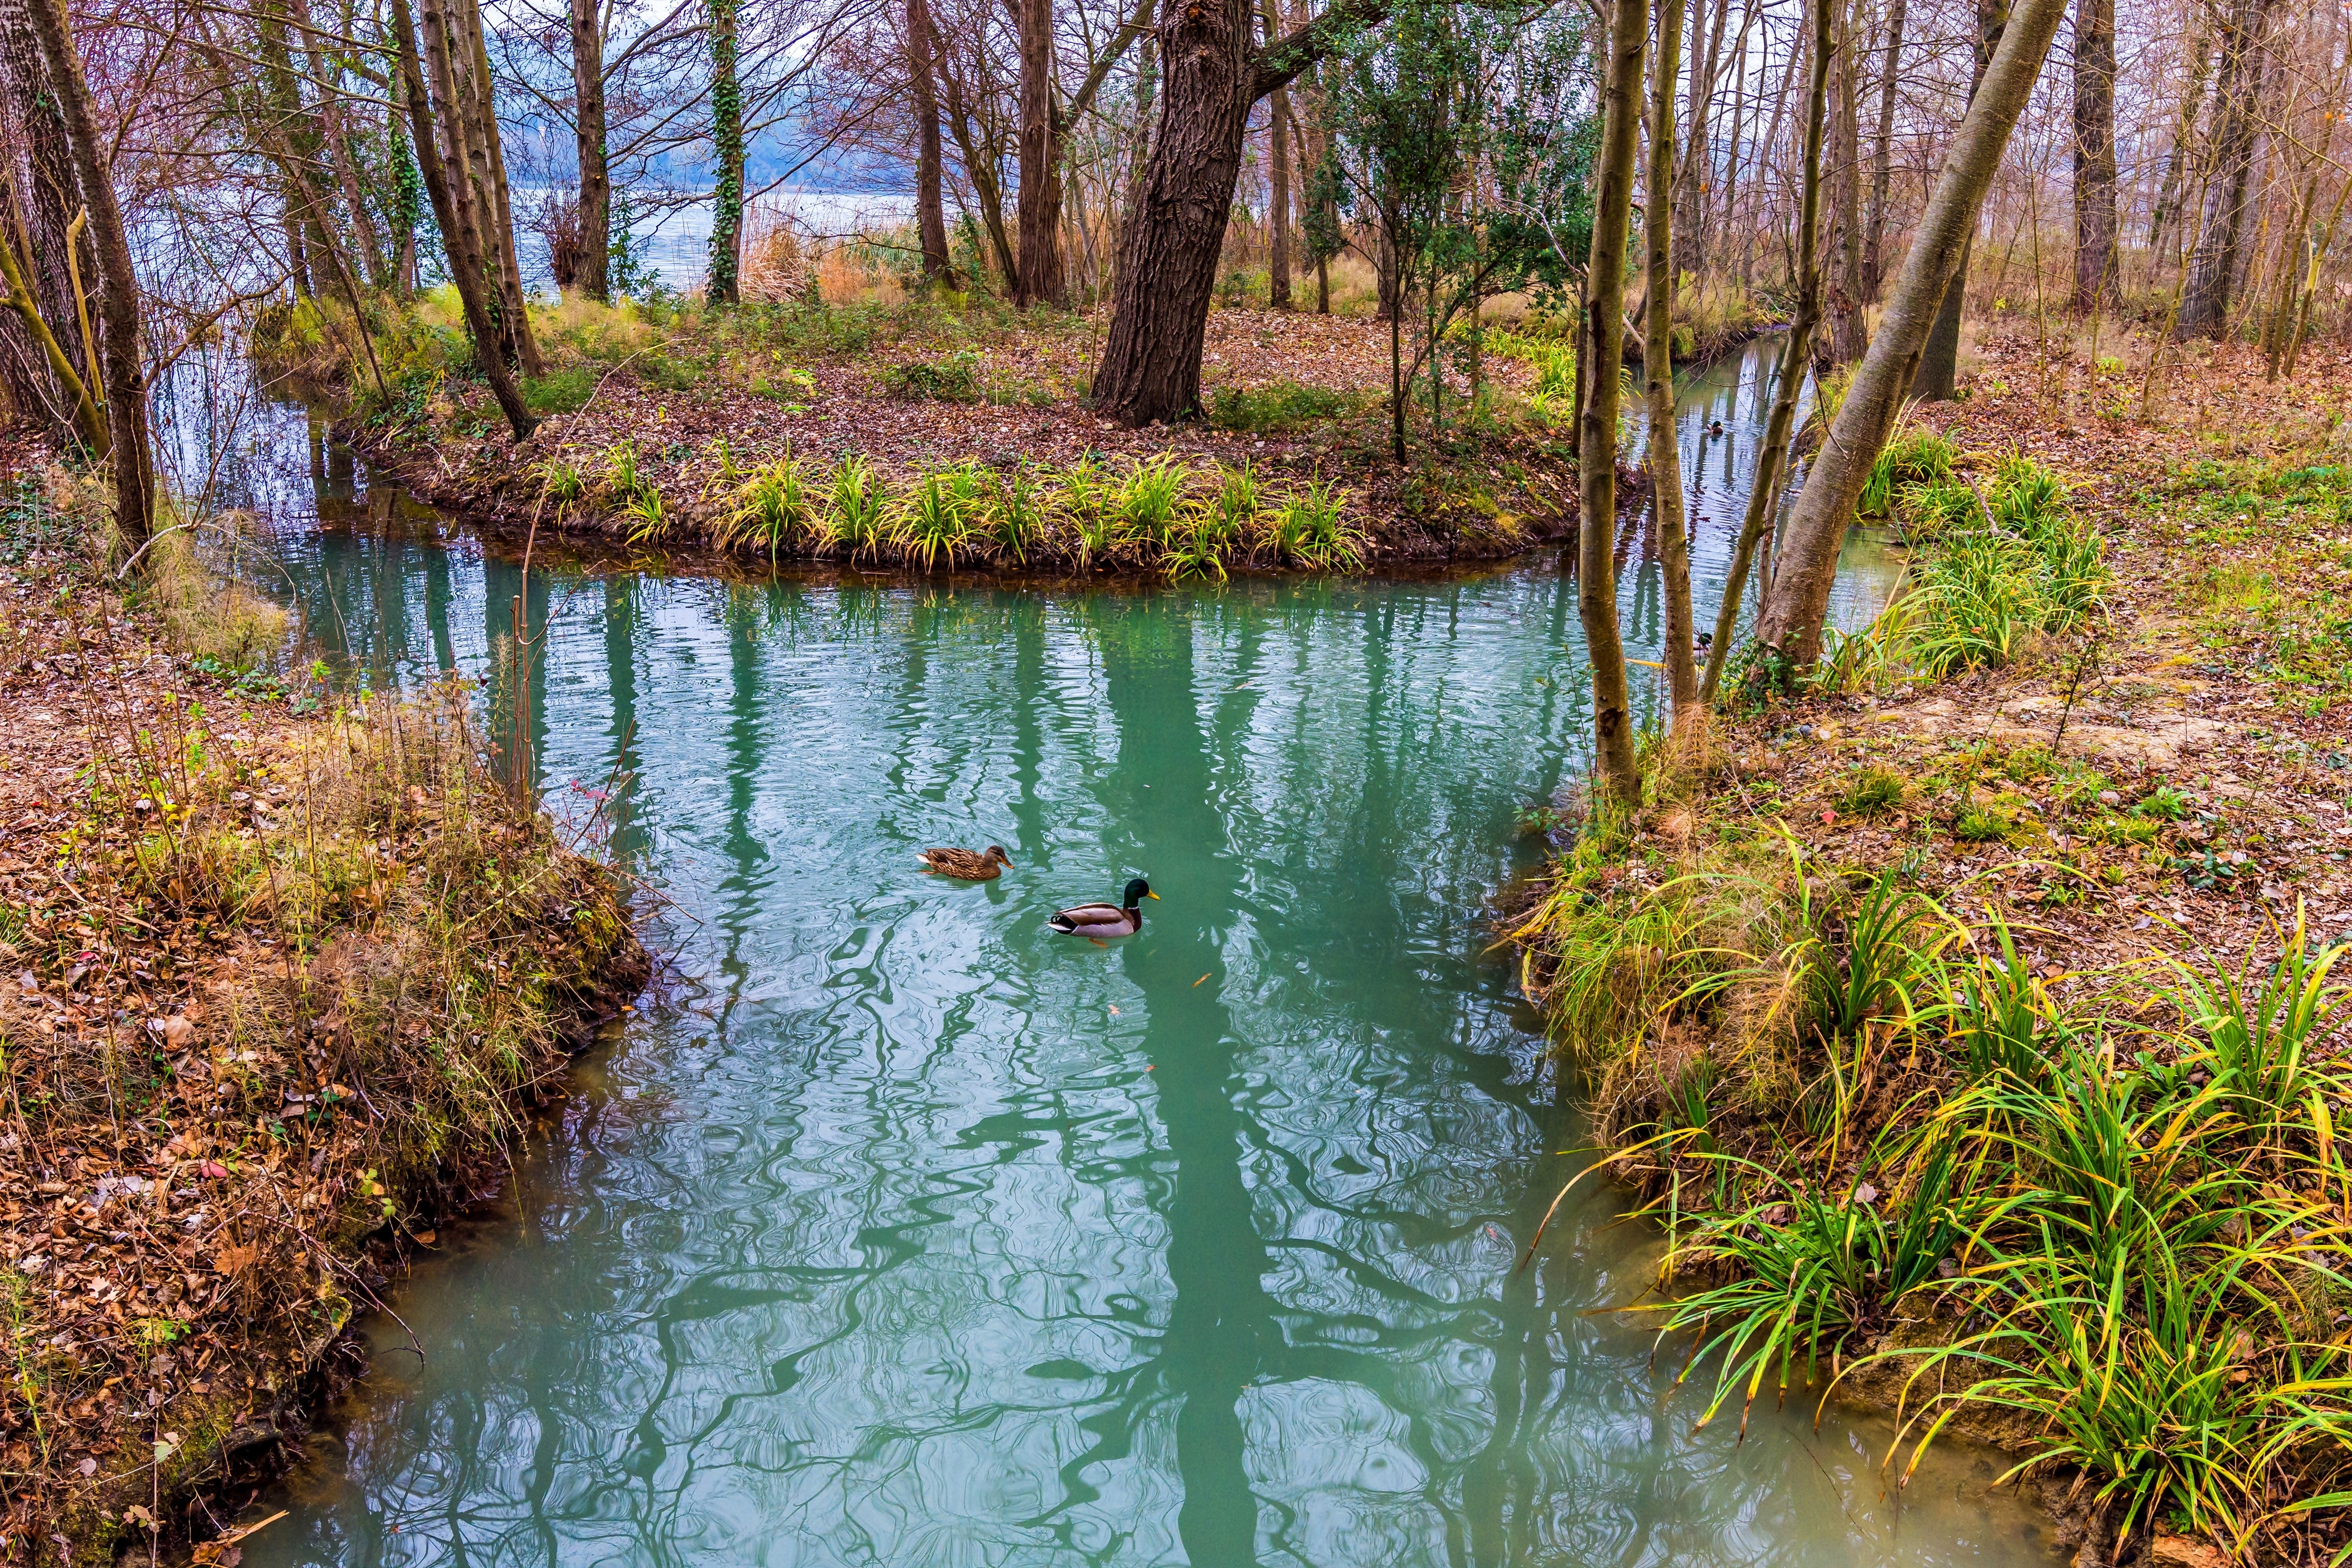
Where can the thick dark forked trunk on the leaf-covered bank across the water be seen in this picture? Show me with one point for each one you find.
(1177, 227)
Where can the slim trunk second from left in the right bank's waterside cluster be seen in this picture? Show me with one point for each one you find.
(1659, 363)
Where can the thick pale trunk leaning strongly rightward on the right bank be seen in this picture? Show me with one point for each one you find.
(1800, 591)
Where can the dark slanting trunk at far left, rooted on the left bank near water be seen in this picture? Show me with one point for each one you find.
(119, 286)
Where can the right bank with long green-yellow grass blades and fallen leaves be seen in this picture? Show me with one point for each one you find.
(1982, 1038)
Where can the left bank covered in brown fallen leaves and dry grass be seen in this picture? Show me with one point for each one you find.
(283, 974)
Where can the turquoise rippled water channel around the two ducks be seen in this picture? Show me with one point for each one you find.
(911, 1233)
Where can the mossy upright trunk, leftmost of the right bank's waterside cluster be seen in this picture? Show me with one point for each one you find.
(1596, 443)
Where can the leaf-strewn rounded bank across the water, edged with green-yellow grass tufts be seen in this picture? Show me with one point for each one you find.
(664, 427)
